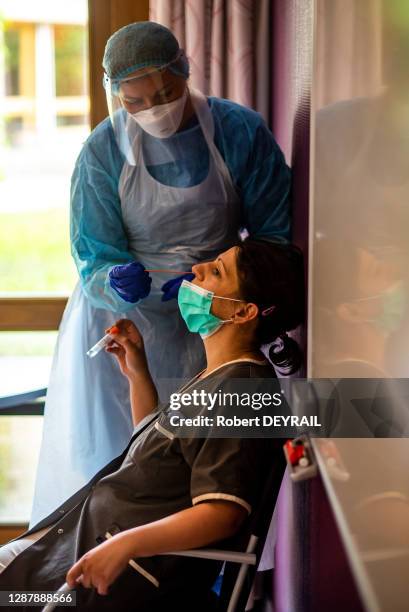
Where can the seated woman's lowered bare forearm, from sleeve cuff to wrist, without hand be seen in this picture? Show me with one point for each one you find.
(194, 527)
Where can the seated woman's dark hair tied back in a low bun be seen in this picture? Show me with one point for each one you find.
(271, 275)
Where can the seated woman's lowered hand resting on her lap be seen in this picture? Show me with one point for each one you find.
(100, 566)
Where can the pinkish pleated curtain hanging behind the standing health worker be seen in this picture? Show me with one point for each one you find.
(228, 43)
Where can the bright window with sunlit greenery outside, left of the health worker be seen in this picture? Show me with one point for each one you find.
(44, 120)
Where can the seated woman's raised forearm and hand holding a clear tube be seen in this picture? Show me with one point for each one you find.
(129, 350)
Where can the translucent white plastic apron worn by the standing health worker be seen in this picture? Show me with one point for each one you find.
(87, 415)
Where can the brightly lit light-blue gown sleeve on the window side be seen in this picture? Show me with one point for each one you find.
(98, 238)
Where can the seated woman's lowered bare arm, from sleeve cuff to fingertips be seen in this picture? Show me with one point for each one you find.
(194, 527)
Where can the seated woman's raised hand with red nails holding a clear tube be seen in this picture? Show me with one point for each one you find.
(128, 348)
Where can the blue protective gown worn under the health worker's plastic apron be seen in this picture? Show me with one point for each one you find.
(256, 165)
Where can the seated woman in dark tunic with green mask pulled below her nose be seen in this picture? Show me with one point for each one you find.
(165, 492)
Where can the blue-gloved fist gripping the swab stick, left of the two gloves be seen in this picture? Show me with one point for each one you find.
(130, 281)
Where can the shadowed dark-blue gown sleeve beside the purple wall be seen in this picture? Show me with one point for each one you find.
(258, 169)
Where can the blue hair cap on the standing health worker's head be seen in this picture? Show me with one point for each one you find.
(141, 45)
